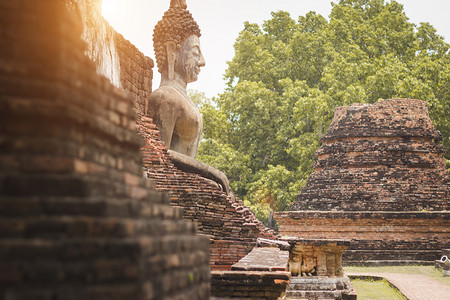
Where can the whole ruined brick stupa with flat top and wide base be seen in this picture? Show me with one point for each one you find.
(380, 180)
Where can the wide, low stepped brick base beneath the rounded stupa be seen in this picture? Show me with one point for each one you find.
(375, 236)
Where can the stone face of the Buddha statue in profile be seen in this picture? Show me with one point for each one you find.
(190, 59)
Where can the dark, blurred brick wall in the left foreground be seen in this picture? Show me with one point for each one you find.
(77, 220)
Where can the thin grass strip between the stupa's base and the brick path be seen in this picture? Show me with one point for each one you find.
(420, 270)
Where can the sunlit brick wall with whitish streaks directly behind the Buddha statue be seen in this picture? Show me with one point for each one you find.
(116, 58)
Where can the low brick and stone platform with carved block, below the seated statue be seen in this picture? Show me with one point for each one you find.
(298, 269)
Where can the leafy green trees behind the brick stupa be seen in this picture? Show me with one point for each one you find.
(288, 76)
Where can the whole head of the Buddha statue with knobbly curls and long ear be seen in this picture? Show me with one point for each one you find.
(176, 44)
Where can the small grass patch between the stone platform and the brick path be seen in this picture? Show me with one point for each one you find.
(376, 290)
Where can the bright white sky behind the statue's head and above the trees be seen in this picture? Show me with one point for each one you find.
(221, 21)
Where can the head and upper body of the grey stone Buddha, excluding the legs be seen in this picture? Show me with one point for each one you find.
(179, 59)
